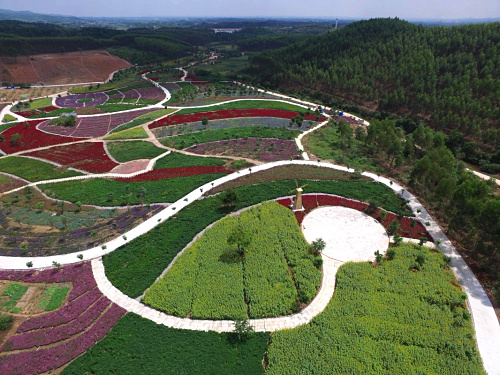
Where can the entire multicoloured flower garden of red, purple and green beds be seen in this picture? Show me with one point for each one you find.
(404, 311)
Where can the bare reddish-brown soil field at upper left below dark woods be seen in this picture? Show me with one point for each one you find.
(61, 68)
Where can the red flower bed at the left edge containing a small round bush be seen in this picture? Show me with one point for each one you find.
(30, 138)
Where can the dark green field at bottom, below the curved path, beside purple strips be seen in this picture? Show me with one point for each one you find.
(173, 351)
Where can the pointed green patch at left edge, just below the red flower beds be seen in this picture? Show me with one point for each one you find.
(34, 170)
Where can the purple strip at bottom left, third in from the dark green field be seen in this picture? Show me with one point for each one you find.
(66, 314)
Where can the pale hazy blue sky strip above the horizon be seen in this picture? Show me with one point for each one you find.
(263, 8)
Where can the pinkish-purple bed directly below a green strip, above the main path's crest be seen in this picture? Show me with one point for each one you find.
(265, 149)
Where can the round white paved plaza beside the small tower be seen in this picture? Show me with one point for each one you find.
(350, 235)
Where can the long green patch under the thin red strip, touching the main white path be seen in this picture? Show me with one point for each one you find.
(102, 192)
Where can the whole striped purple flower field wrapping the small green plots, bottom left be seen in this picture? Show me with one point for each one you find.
(53, 339)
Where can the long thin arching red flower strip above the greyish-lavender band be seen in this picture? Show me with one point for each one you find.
(228, 113)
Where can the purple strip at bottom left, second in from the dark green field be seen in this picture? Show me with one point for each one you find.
(53, 334)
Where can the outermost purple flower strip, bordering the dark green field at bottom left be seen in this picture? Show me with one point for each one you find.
(43, 360)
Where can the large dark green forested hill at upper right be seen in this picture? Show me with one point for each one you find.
(448, 76)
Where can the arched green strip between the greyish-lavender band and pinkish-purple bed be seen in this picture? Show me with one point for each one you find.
(187, 140)
